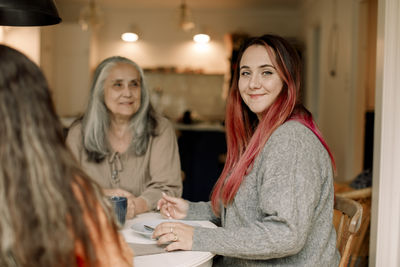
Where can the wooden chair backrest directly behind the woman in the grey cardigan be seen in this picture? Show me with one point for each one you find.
(347, 221)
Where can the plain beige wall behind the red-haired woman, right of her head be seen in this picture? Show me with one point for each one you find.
(336, 107)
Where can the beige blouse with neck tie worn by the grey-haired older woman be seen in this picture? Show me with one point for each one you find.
(147, 176)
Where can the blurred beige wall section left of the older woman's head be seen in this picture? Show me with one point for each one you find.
(66, 62)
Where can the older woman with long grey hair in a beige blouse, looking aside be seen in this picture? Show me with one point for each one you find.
(122, 143)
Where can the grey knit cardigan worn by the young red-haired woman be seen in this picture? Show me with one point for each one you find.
(282, 212)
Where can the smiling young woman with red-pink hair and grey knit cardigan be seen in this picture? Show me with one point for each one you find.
(274, 199)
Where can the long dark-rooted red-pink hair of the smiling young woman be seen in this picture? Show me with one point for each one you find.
(246, 138)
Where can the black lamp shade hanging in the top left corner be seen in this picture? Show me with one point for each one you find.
(28, 13)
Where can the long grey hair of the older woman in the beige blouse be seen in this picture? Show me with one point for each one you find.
(96, 120)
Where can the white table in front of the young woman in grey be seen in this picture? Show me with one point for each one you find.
(168, 259)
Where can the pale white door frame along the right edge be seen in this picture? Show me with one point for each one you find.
(385, 215)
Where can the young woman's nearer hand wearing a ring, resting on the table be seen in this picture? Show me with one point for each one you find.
(178, 235)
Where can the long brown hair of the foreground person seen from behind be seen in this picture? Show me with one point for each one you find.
(41, 215)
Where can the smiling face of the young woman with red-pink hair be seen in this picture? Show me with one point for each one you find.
(259, 82)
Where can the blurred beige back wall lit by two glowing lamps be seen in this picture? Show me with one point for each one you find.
(164, 44)
